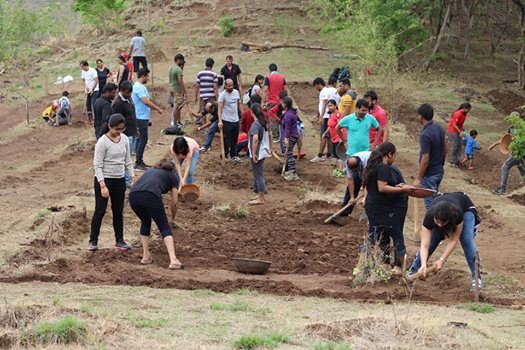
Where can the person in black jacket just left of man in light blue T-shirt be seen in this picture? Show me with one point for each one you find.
(123, 105)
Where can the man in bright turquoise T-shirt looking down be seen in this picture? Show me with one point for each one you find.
(358, 125)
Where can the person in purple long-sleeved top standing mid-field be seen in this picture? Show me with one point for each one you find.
(290, 137)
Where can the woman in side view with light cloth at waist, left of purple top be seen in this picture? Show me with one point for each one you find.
(259, 147)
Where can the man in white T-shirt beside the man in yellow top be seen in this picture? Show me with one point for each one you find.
(326, 93)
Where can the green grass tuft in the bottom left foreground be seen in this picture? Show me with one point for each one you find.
(65, 331)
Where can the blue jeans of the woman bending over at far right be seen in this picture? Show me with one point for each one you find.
(467, 243)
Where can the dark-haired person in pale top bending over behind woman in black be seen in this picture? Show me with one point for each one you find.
(185, 148)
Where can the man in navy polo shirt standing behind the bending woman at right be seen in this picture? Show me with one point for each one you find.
(432, 152)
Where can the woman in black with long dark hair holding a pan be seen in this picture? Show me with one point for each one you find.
(386, 203)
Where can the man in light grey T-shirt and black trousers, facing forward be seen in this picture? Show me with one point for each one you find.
(229, 107)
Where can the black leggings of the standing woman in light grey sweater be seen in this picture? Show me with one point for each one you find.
(117, 192)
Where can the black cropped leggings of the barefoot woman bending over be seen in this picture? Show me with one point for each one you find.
(148, 206)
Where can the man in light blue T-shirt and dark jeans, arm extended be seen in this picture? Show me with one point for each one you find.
(143, 106)
